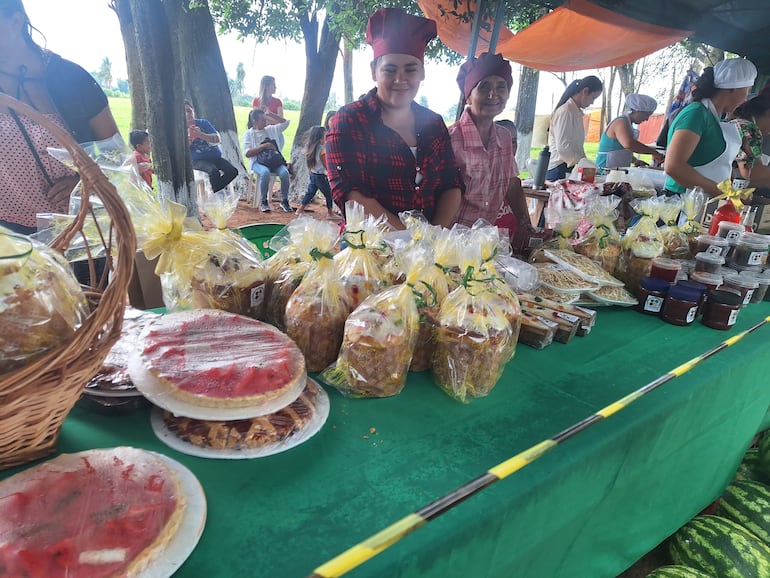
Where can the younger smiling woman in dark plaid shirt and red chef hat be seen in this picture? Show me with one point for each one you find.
(384, 150)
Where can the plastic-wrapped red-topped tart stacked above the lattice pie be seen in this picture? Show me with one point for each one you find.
(215, 359)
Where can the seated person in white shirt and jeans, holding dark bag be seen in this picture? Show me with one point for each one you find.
(258, 138)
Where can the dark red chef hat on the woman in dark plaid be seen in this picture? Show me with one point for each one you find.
(393, 31)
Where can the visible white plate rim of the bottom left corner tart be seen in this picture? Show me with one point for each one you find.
(190, 529)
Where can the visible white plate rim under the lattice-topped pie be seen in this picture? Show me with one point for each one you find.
(308, 430)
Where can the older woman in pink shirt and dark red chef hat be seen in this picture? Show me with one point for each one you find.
(484, 150)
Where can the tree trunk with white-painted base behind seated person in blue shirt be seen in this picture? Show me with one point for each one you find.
(204, 80)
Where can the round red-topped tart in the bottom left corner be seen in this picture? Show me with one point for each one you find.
(97, 513)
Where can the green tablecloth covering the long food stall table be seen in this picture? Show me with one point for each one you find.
(589, 508)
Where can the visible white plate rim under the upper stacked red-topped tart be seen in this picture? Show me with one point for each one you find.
(152, 389)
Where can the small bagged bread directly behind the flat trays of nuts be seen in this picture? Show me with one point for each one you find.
(602, 244)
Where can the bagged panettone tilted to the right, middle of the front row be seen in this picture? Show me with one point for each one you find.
(380, 335)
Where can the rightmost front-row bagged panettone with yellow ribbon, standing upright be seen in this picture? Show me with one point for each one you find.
(474, 334)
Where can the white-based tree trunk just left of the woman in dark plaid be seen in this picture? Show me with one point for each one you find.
(320, 62)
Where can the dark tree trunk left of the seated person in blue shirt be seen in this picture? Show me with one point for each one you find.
(162, 79)
